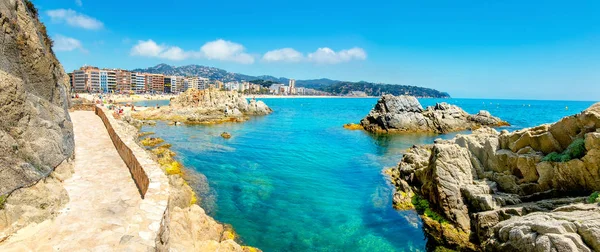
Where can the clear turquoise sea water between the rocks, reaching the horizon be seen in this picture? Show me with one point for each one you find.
(296, 180)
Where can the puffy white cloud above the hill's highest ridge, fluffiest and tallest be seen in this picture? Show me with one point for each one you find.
(226, 51)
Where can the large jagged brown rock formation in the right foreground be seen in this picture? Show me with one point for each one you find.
(498, 191)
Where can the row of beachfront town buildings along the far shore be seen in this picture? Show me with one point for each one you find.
(90, 79)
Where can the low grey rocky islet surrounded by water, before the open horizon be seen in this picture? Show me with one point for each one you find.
(405, 114)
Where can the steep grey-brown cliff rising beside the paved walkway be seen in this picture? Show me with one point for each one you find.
(36, 133)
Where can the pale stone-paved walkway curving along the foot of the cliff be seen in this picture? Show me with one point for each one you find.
(105, 211)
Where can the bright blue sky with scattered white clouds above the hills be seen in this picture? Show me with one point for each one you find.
(475, 49)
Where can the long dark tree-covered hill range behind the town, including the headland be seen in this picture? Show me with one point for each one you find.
(332, 86)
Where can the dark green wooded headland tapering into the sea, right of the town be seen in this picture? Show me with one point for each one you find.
(373, 89)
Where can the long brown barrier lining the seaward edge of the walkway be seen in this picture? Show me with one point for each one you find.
(135, 168)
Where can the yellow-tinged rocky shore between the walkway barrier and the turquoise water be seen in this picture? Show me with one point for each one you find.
(186, 226)
